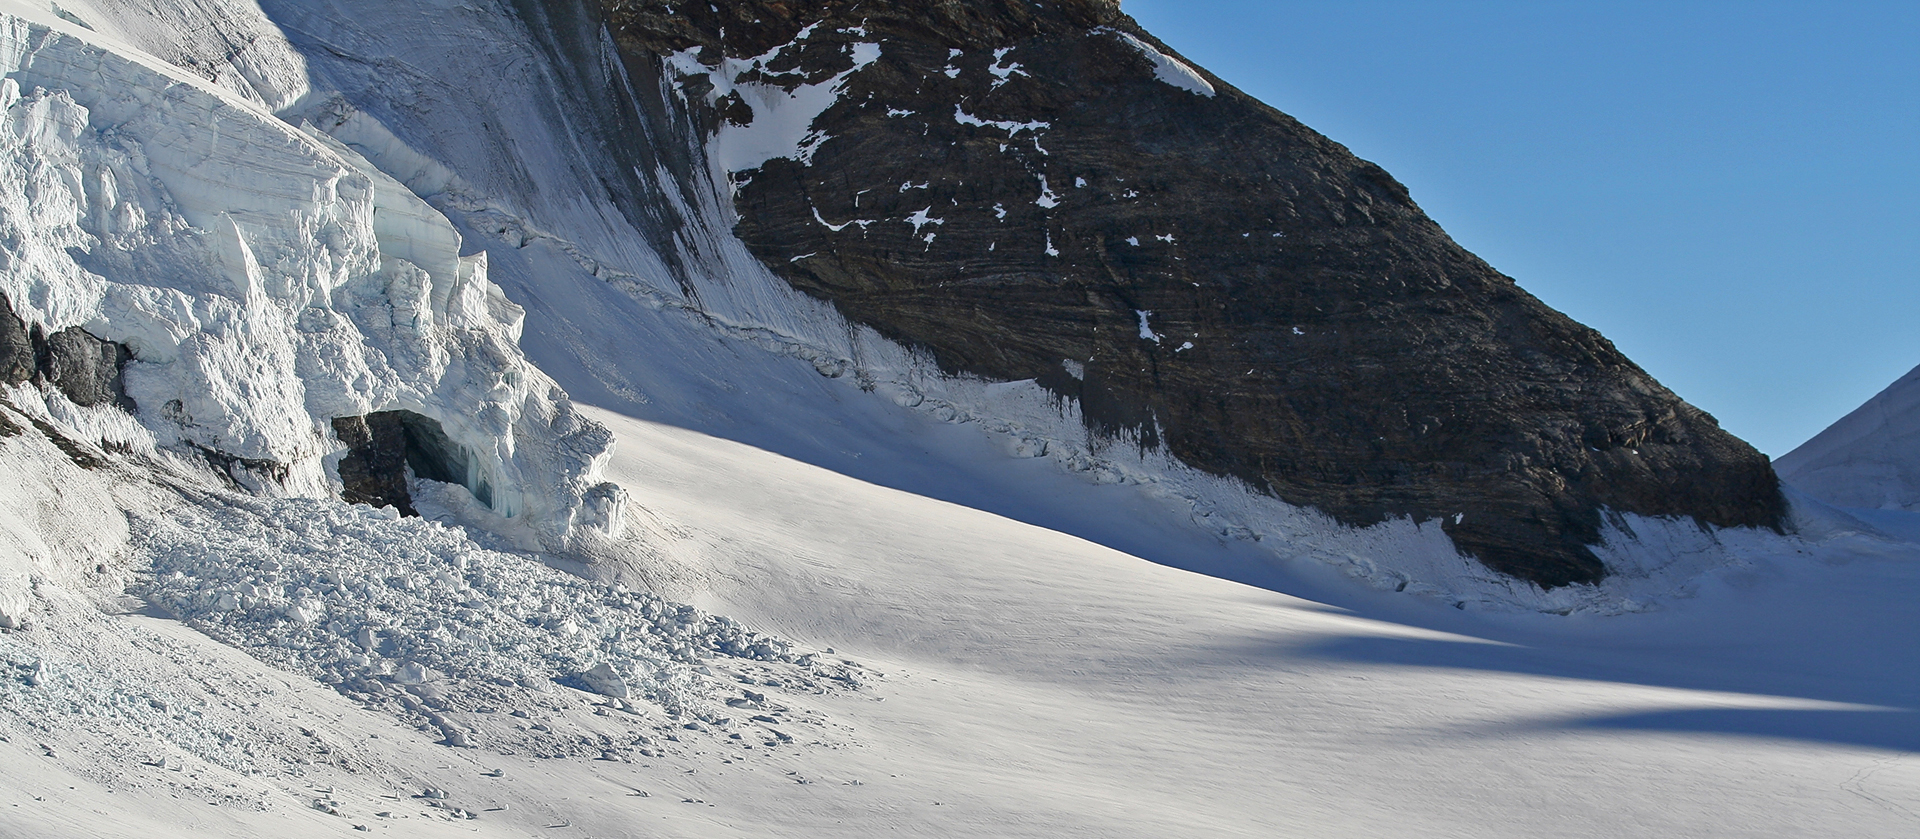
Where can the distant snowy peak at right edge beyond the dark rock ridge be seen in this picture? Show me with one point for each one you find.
(1867, 460)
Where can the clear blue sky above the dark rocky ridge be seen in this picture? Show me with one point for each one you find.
(1729, 191)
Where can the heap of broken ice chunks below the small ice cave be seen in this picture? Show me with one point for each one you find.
(420, 619)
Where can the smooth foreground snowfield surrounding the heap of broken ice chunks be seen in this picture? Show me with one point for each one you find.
(1026, 683)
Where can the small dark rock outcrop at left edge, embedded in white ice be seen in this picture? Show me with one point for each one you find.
(84, 368)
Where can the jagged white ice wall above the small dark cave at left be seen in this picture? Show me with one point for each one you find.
(266, 277)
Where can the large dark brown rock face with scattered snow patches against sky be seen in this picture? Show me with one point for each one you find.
(1015, 191)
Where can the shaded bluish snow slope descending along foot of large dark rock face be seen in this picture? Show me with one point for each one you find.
(640, 299)
